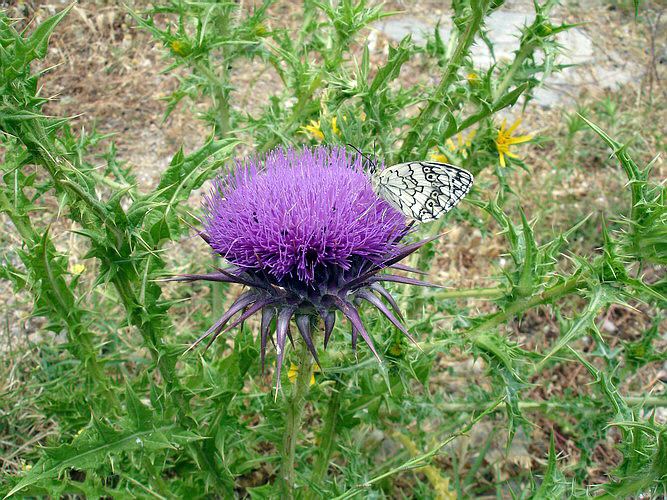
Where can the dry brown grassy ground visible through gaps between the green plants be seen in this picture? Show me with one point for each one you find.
(107, 74)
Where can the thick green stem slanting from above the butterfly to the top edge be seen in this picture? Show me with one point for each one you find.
(464, 43)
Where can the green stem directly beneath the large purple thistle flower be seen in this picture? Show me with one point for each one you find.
(295, 405)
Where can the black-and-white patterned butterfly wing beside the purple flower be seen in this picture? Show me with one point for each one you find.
(423, 190)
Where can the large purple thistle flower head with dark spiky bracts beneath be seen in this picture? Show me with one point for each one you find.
(308, 236)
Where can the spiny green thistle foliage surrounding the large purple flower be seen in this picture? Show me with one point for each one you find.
(132, 417)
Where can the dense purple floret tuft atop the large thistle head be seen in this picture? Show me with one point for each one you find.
(297, 212)
